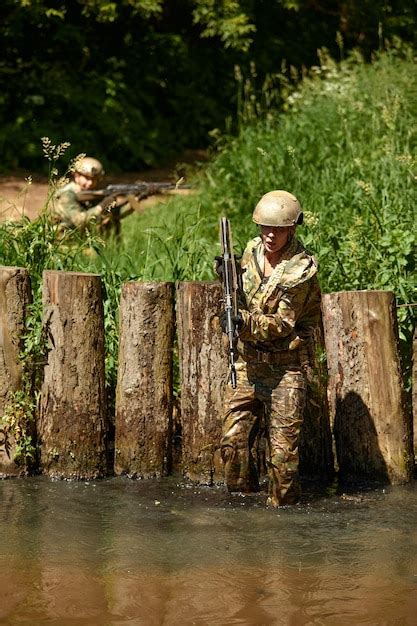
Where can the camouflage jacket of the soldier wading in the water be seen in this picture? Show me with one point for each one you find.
(280, 312)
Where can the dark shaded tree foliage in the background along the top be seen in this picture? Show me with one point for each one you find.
(137, 81)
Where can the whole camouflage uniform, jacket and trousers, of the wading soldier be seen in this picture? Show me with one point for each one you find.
(279, 316)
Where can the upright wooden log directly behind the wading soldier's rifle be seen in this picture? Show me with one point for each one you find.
(203, 373)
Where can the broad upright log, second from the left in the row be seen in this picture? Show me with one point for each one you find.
(72, 422)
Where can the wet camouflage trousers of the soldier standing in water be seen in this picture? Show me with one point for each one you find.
(274, 397)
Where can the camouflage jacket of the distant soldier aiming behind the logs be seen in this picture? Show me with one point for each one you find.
(67, 210)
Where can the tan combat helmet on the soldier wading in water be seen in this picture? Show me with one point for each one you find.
(278, 208)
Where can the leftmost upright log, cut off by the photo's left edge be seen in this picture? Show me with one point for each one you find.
(15, 296)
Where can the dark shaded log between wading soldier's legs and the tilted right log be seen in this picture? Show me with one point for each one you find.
(316, 442)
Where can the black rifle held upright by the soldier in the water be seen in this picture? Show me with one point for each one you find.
(230, 278)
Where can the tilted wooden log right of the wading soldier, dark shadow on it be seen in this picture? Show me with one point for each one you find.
(367, 405)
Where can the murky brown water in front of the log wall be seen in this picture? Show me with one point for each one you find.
(118, 552)
